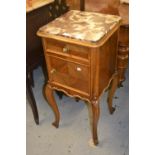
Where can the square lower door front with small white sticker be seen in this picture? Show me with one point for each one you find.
(68, 74)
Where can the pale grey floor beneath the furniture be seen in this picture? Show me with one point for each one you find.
(74, 134)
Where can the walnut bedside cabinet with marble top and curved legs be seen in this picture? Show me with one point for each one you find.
(81, 55)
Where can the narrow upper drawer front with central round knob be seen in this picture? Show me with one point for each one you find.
(70, 50)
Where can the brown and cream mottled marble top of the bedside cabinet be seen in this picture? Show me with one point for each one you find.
(81, 25)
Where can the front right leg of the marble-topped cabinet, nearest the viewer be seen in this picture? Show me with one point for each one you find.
(95, 118)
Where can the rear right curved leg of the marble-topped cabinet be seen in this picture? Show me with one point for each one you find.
(114, 84)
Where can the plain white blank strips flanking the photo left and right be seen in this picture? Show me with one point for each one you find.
(13, 77)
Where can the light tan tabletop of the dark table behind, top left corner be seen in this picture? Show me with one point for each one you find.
(36, 4)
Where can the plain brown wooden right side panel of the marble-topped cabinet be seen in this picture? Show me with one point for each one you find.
(108, 61)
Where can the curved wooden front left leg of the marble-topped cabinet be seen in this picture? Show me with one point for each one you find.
(51, 100)
